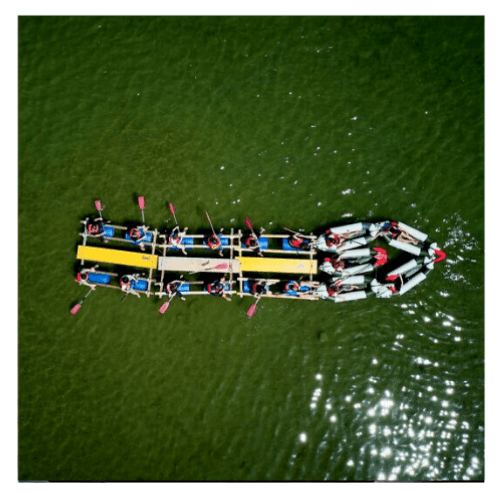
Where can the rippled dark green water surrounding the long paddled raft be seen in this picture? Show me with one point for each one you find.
(295, 121)
